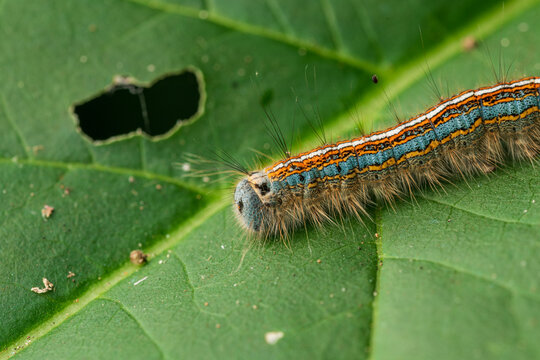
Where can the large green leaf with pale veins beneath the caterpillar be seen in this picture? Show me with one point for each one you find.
(449, 274)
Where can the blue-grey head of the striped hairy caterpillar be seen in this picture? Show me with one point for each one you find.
(253, 200)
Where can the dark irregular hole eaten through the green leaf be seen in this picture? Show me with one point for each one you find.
(127, 107)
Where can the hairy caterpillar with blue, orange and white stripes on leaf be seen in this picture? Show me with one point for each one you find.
(467, 134)
